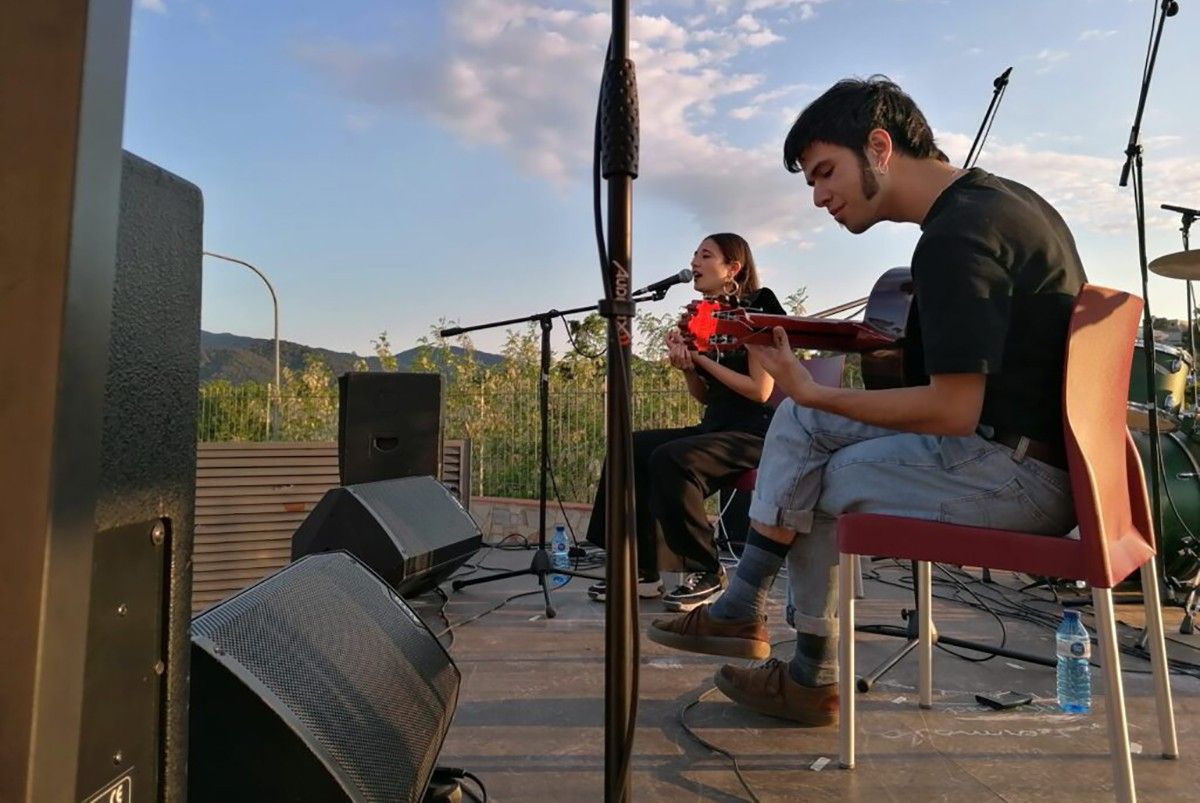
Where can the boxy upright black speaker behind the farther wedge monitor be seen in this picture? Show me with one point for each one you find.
(389, 426)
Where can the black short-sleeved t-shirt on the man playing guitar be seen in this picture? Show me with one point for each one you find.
(997, 274)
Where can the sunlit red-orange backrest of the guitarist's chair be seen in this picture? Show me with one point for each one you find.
(1106, 471)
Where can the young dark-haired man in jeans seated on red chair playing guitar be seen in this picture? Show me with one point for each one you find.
(995, 278)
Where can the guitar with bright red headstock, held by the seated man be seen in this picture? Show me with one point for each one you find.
(718, 325)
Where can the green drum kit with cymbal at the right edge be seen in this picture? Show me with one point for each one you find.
(1174, 401)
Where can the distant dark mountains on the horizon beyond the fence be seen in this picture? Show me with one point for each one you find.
(239, 359)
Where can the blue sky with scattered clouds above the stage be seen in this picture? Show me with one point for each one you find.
(391, 164)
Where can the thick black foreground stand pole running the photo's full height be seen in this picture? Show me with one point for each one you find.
(617, 134)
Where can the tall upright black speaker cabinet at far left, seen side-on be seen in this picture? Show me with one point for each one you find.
(135, 709)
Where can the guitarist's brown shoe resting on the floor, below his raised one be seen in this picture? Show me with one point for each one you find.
(770, 690)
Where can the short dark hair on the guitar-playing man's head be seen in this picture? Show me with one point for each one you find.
(850, 111)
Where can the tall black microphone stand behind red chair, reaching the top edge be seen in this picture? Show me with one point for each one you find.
(1135, 163)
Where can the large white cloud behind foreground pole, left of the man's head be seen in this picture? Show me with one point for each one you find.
(523, 77)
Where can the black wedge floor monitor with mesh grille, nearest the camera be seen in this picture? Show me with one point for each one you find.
(317, 685)
